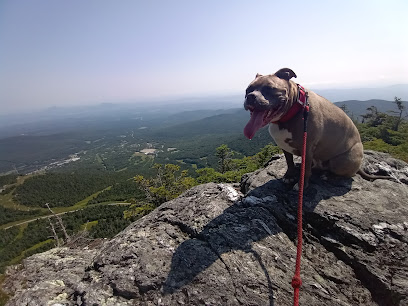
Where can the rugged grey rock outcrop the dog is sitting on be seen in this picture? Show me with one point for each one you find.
(221, 244)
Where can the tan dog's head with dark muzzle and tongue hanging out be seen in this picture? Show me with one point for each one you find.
(267, 98)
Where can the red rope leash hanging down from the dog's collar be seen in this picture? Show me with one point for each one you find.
(297, 281)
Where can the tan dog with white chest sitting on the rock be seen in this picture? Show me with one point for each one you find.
(333, 141)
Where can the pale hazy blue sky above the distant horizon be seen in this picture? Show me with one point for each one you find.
(82, 52)
